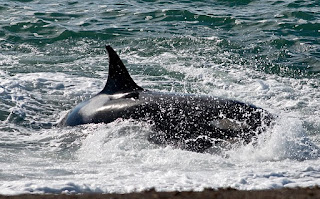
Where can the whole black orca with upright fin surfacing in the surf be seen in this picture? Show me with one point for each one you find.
(195, 122)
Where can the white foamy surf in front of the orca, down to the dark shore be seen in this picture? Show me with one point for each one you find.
(117, 158)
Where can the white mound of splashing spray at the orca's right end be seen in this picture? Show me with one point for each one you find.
(287, 139)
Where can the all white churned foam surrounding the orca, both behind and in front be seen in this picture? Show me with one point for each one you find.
(118, 157)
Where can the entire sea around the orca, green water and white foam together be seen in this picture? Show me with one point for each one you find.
(52, 57)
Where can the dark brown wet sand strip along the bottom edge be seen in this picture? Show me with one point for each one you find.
(291, 193)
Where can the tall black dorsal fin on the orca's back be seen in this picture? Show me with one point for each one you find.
(119, 80)
